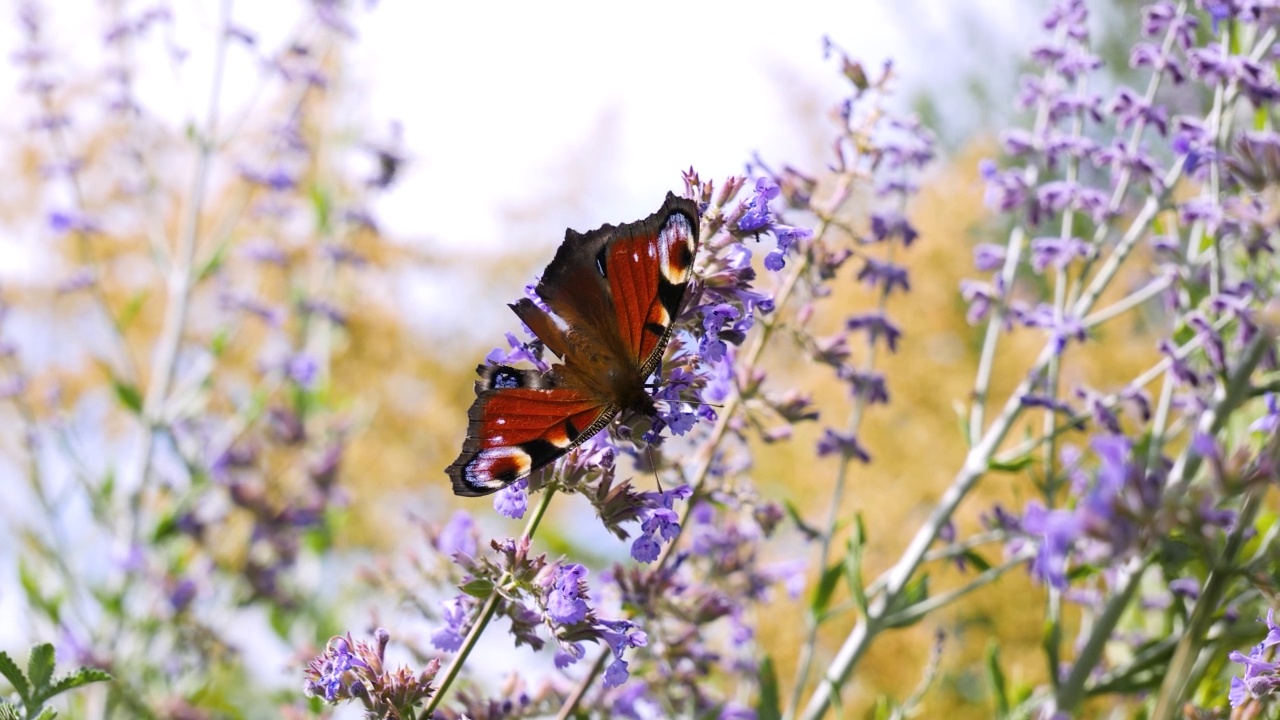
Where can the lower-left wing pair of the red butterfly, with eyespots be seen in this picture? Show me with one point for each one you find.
(518, 425)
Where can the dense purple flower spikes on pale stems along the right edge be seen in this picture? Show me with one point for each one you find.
(1084, 188)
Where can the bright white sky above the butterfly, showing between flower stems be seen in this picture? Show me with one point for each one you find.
(524, 119)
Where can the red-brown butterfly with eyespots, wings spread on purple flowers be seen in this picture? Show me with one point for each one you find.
(610, 299)
